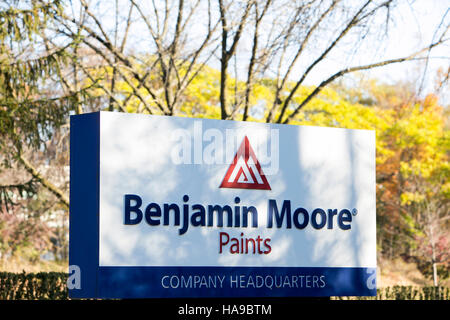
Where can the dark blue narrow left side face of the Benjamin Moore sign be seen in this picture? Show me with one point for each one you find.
(84, 201)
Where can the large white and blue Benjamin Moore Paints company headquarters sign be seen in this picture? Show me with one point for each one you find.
(180, 207)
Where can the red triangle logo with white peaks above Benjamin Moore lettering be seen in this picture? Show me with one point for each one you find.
(245, 171)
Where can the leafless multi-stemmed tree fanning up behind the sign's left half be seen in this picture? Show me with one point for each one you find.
(150, 45)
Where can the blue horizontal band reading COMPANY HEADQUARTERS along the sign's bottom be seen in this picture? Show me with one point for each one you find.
(181, 282)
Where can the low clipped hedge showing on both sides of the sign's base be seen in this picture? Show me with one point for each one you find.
(52, 286)
